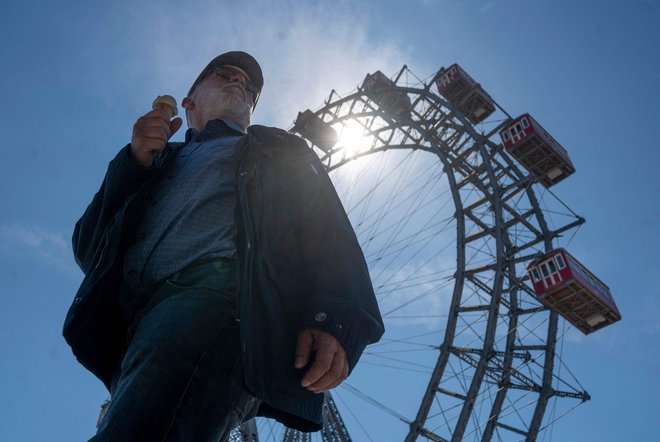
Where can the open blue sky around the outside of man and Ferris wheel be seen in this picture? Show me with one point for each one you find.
(75, 77)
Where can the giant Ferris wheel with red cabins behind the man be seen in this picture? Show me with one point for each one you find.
(449, 198)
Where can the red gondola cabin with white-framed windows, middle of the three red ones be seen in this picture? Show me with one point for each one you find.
(534, 148)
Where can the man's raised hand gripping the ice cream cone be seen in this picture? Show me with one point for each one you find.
(150, 134)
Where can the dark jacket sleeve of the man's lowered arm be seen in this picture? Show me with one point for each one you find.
(339, 298)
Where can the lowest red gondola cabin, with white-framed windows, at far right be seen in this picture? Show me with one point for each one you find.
(564, 285)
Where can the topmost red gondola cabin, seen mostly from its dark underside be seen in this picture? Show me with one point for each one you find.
(466, 94)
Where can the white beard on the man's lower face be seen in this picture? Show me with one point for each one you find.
(218, 103)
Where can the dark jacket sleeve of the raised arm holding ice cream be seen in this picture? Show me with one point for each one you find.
(122, 179)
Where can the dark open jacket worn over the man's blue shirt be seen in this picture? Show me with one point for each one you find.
(299, 266)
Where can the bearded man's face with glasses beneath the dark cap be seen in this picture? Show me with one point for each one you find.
(226, 92)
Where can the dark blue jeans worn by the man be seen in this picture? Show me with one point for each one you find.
(180, 378)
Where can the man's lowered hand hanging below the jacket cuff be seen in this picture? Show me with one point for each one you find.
(330, 366)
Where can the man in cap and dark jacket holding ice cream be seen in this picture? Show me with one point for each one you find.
(222, 277)
